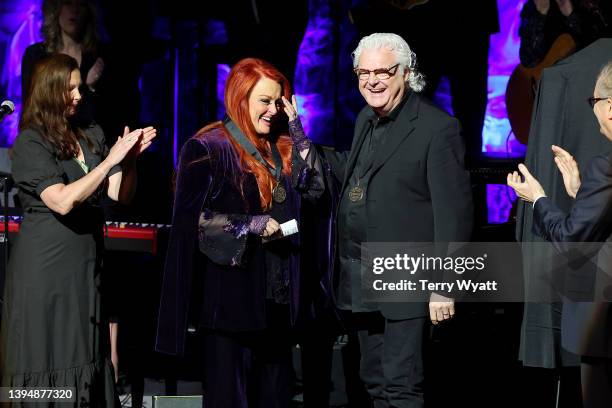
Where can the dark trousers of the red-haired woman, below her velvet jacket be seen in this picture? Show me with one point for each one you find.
(247, 370)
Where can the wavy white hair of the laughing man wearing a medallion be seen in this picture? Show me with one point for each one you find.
(405, 57)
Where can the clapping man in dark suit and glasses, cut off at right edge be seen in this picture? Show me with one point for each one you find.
(585, 328)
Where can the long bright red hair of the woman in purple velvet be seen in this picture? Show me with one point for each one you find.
(241, 80)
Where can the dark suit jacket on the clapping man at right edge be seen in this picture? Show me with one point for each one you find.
(586, 326)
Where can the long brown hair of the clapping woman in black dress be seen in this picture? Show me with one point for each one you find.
(47, 102)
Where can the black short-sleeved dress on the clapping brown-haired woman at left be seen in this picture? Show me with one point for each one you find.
(54, 332)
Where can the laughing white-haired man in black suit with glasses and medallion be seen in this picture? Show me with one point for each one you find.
(402, 181)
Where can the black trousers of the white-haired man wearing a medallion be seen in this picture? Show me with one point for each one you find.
(392, 361)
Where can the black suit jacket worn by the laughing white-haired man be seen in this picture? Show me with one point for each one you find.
(419, 190)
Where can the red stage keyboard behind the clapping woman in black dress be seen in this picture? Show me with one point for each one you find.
(118, 236)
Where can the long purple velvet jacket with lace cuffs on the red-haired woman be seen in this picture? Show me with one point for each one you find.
(215, 273)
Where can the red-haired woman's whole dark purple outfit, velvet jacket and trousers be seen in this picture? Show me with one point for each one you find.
(243, 294)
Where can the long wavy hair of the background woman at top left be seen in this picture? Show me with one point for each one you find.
(52, 33)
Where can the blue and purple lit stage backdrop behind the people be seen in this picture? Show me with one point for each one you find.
(327, 95)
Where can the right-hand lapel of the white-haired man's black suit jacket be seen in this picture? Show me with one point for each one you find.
(398, 132)
